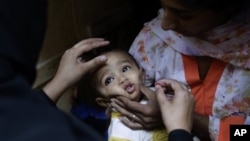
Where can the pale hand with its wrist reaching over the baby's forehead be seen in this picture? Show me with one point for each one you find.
(73, 67)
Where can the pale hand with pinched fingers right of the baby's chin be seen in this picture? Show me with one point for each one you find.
(177, 110)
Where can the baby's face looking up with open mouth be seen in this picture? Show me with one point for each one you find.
(118, 77)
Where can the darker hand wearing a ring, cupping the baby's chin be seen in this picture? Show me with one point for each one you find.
(139, 116)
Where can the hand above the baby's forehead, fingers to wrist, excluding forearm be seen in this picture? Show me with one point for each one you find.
(72, 67)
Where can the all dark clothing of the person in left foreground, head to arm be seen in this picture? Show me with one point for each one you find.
(25, 114)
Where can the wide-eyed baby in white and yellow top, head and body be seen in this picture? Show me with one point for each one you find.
(120, 76)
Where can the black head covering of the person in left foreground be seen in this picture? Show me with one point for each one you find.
(22, 28)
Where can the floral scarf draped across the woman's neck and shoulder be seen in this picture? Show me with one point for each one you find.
(229, 42)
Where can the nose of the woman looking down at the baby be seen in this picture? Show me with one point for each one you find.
(169, 21)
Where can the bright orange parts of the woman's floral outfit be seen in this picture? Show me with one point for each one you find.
(204, 91)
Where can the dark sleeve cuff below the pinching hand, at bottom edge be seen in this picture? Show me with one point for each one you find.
(180, 135)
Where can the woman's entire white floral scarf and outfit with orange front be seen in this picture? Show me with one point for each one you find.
(167, 54)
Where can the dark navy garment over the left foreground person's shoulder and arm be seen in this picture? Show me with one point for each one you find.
(34, 117)
